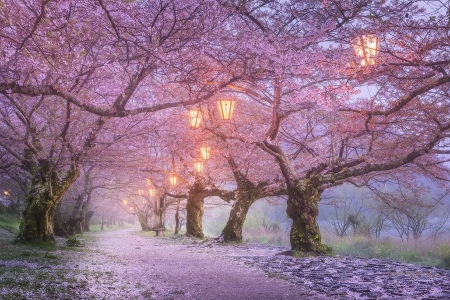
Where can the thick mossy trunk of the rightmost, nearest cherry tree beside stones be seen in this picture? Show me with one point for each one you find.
(302, 208)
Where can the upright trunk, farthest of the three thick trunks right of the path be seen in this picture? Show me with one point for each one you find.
(194, 211)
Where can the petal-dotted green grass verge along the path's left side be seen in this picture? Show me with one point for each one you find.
(43, 270)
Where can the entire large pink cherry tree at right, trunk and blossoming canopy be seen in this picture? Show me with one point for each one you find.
(321, 132)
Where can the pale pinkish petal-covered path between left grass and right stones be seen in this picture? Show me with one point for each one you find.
(135, 267)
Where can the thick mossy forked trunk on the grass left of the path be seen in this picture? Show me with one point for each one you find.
(44, 194)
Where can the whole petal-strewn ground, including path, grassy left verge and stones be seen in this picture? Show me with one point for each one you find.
(127, 264)
